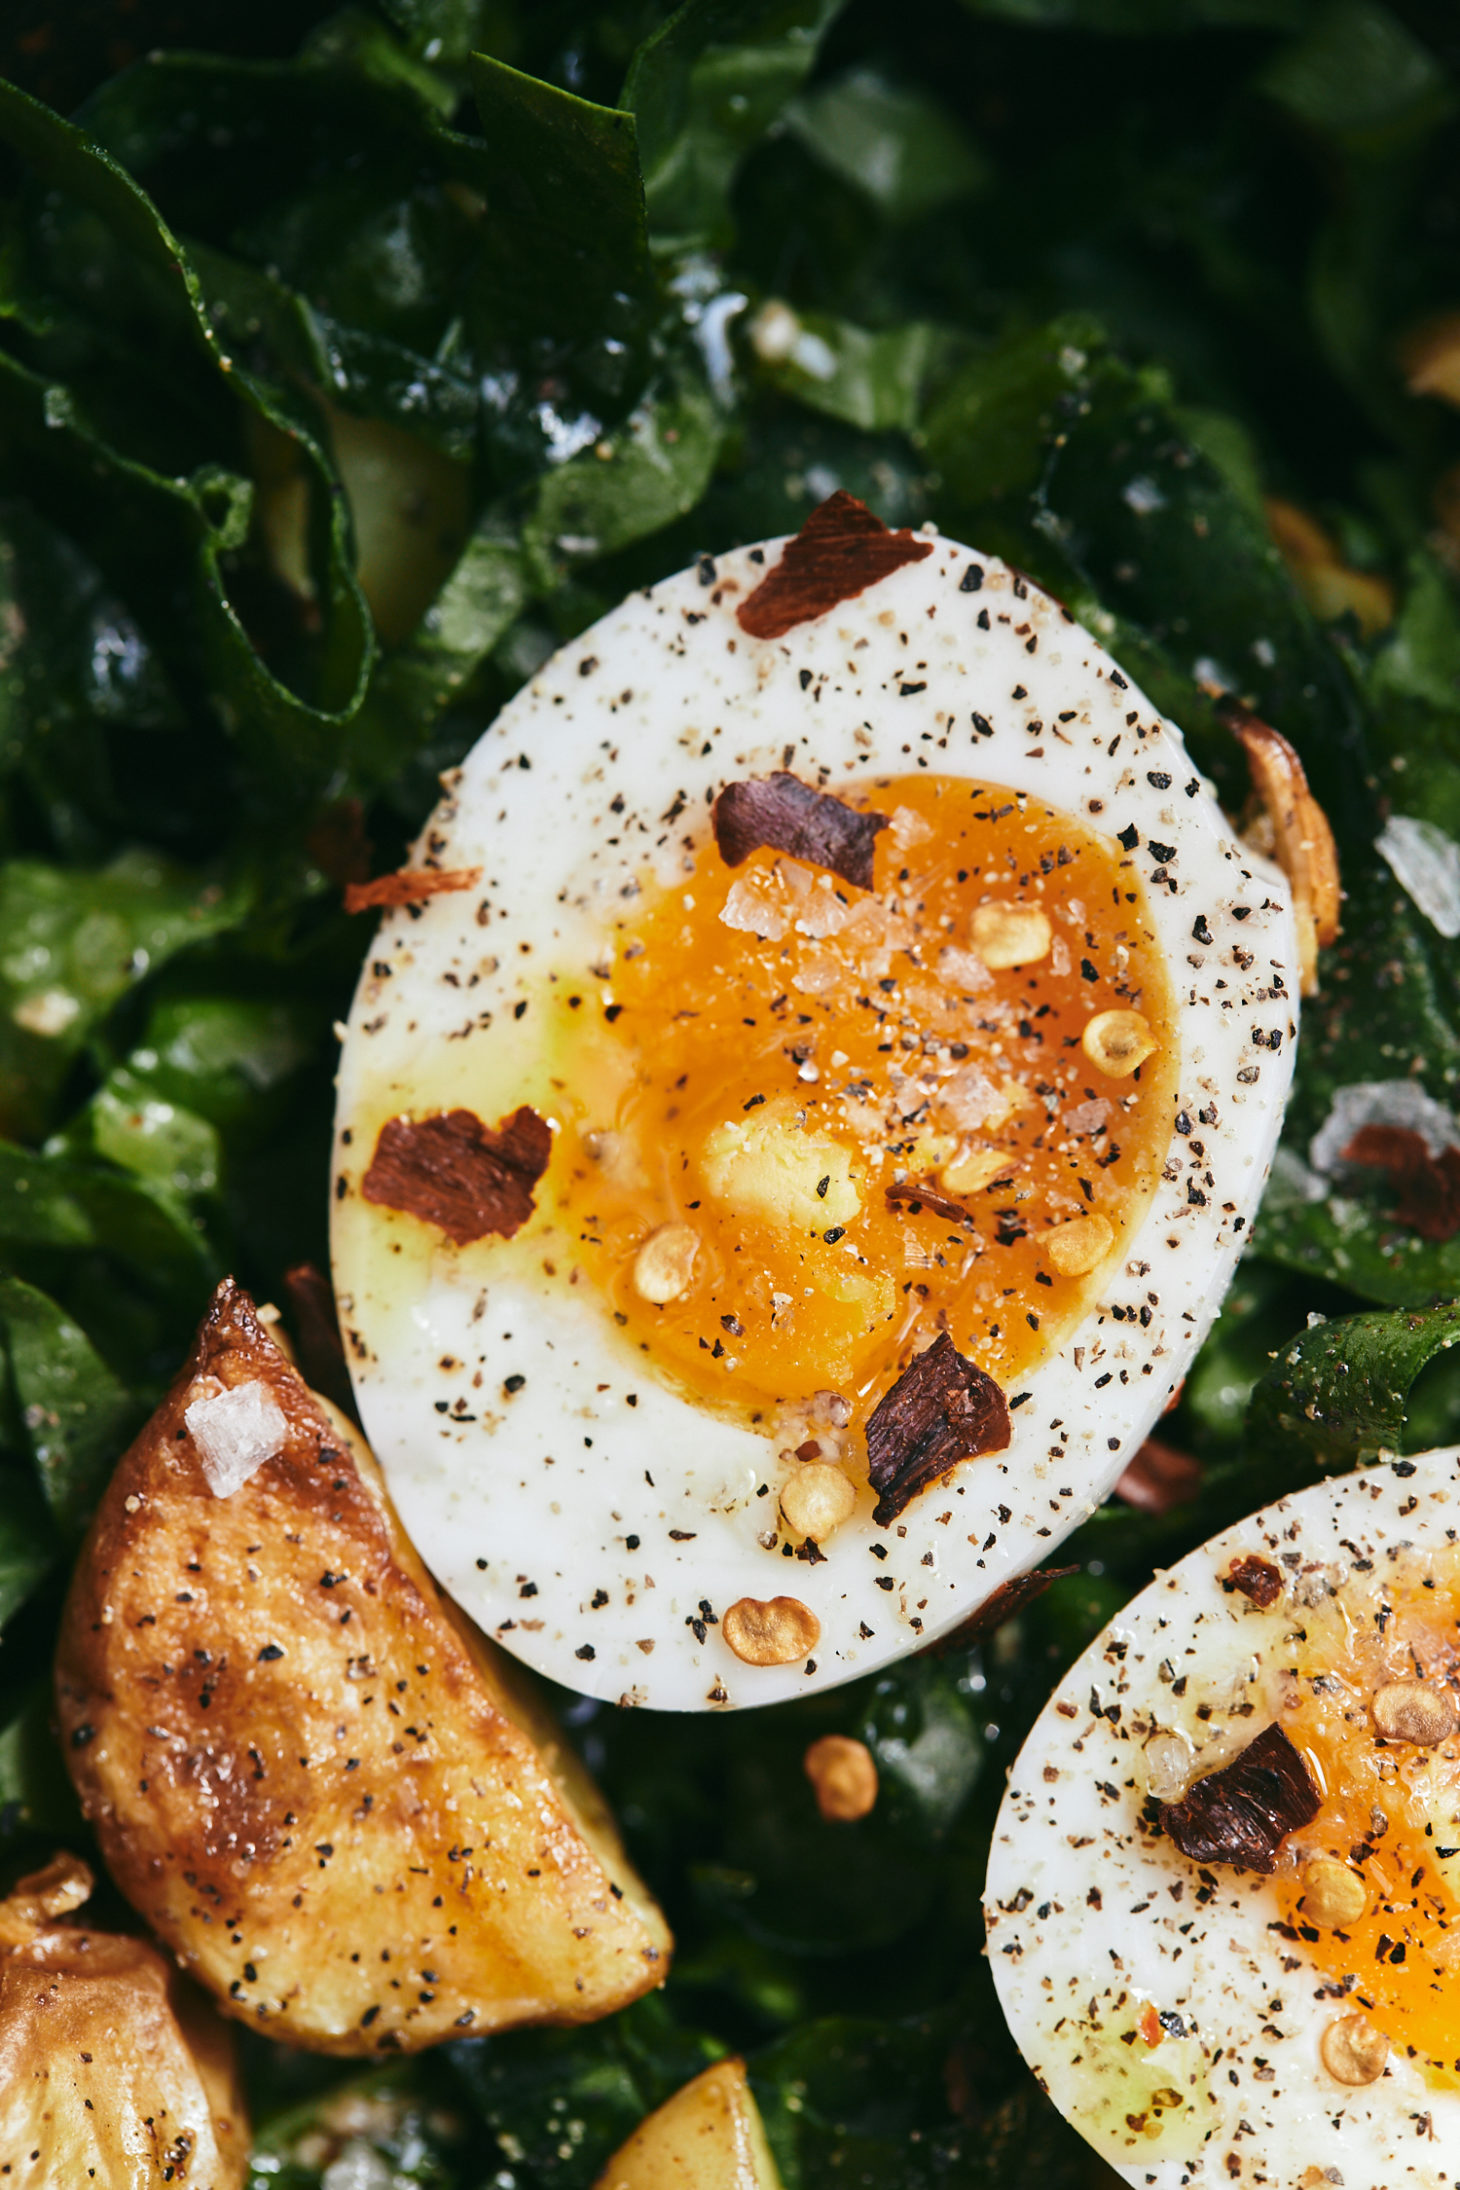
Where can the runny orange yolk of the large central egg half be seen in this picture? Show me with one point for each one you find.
(783, 1050)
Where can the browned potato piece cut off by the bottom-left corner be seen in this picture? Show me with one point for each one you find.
(113, 2071)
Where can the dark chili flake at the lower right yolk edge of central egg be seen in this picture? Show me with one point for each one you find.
(940, 1411)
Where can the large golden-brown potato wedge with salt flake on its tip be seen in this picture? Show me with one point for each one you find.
(314, 1779)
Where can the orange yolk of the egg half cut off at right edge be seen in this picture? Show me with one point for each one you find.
(1391, 1810)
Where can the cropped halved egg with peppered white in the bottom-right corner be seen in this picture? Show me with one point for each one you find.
(1225, 1891)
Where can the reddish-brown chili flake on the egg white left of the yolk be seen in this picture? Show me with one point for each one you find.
(459, 1175)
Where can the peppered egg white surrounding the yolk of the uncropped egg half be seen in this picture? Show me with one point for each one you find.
(605, 765)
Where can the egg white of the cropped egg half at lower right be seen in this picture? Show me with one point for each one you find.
(1085, 1926)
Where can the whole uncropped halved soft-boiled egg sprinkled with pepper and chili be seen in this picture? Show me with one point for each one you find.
(798, 1118)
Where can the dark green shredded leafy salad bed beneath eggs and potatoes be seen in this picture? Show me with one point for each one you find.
(354, 362)
